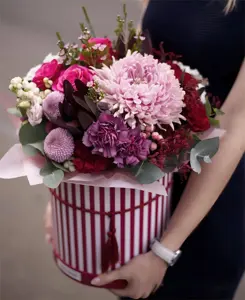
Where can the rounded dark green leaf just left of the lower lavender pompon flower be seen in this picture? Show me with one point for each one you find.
(32, 134)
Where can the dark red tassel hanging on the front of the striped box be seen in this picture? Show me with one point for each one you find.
(110, 253)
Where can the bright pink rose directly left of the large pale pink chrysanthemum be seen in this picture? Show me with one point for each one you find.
(71, 74)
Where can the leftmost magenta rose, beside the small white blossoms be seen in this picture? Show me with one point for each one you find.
(50, 70)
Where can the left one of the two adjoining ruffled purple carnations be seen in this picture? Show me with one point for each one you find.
(105, 135)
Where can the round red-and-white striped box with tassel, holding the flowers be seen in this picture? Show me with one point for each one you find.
(97, 229)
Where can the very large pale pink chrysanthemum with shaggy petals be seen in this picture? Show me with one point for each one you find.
(140, 88)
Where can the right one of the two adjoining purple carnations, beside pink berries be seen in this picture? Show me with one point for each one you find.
(134, 150)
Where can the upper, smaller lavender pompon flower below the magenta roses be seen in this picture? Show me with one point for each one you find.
(51, 104)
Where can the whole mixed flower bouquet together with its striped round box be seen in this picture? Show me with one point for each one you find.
(104, 125)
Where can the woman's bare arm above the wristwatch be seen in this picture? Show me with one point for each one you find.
(203, 190)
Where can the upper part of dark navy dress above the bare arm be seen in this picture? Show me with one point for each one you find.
(207, 39)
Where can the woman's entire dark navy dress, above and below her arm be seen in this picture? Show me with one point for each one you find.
(213, 257)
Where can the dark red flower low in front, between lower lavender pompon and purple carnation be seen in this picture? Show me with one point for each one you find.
(86, 162)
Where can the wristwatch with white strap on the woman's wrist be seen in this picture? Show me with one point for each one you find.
(169, 256)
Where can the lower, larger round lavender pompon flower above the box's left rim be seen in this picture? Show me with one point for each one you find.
(59, 145)
